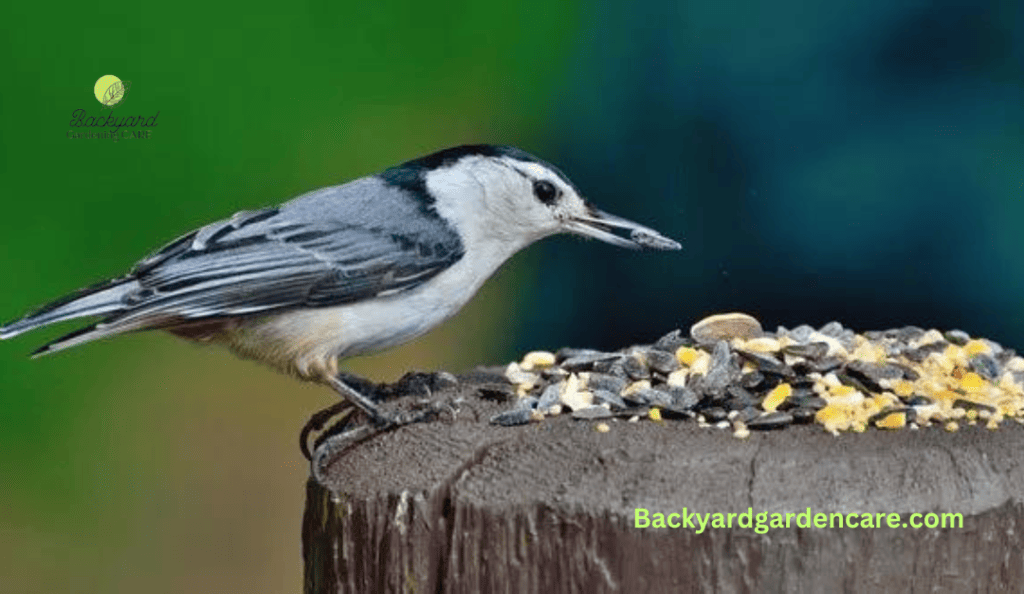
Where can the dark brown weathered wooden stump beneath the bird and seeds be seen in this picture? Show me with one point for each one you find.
(459, 505)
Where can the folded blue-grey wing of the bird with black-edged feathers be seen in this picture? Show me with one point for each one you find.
(286, 259)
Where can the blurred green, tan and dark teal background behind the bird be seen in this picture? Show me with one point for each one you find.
(858, 161)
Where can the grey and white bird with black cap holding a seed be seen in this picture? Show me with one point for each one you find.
(345, 271)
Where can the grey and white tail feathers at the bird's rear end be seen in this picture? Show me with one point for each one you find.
(103, 300)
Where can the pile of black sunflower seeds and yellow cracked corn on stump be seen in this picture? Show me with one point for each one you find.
(730, 373)
